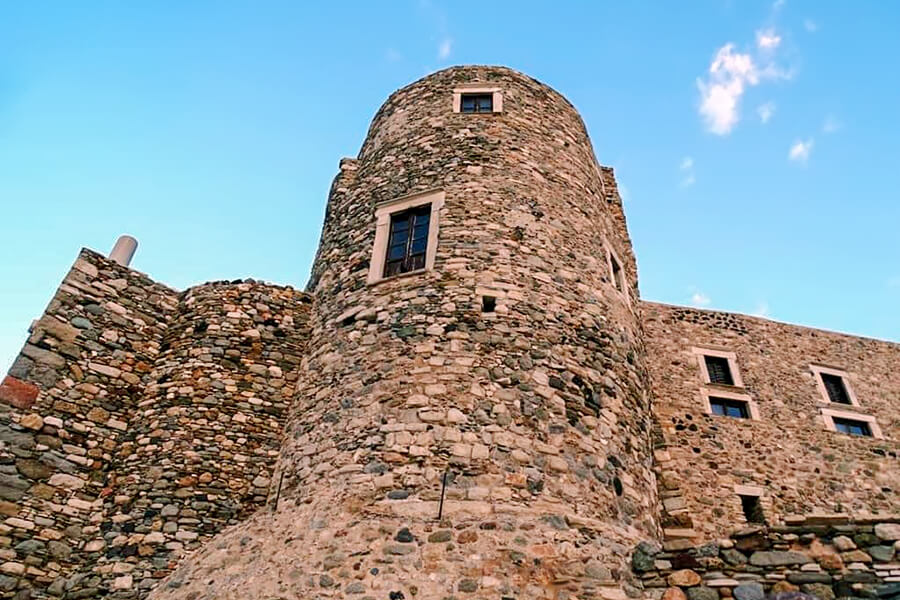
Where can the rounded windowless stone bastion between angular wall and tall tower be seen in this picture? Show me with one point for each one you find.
(200, 451)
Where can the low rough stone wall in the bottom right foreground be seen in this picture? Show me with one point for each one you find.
(827, 557)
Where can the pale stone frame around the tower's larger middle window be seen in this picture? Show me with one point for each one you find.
(383, 212)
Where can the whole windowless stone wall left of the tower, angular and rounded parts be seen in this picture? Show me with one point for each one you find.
(138, 422)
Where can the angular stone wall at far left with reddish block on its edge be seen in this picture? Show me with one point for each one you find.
(66, 407)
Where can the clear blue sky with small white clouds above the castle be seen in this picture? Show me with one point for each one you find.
(756, 144)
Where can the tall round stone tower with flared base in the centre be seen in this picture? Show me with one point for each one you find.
(471, 418)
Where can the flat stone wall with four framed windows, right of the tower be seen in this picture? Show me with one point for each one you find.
(800, 466)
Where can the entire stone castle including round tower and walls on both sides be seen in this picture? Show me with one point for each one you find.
(470, 401)
